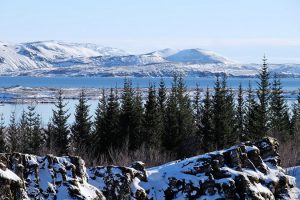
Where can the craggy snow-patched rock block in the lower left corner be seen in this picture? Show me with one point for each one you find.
(47, 177)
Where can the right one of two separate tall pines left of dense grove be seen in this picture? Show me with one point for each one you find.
(81, 129)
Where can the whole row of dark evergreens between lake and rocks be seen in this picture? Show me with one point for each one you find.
(171, 120)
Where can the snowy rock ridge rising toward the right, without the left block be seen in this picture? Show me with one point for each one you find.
(246, 171)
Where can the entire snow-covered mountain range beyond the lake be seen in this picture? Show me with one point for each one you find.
(48, 58)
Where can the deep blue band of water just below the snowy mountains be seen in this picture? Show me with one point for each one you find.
(107, 82)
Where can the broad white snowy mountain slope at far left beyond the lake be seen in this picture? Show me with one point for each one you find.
(50, 54)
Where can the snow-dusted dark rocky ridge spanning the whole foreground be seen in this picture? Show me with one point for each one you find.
(245, 171)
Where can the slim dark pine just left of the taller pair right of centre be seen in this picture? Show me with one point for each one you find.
(206, 126)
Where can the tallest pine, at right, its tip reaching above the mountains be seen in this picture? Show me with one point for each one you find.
(263, 95)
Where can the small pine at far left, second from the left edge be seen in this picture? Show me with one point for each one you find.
(13, 134)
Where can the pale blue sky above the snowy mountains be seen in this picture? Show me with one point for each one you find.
(242, 30)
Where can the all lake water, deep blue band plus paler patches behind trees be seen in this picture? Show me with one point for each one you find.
(45, 110)
